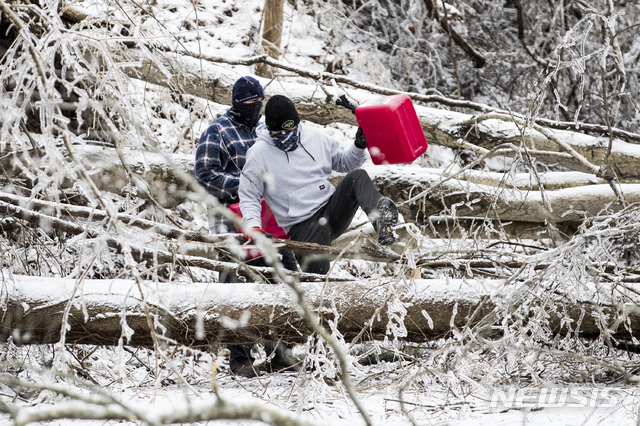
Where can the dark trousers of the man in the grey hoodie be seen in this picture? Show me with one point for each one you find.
(355, 190)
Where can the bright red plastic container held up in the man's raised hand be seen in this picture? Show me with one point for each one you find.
(392, 128)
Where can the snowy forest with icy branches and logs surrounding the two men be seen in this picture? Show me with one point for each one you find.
(516, 265)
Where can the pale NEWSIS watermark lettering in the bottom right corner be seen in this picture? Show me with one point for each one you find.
(574, 397)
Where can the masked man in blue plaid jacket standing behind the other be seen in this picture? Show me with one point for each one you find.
(220, 157)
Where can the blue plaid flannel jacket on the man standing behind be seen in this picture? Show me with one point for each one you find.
(221, 155)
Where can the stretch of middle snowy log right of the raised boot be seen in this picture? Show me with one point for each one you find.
(507, 203)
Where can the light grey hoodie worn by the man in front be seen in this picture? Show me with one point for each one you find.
(294, 184)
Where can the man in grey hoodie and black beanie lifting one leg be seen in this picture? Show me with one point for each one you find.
(290, 165)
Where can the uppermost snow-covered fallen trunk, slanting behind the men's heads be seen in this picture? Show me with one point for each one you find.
(315, 102)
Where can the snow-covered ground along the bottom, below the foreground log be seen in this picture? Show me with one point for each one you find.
(130, 379)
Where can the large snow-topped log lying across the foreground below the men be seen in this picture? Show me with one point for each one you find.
(34, 308)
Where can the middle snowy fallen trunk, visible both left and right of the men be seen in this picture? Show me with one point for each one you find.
(471, 194)
